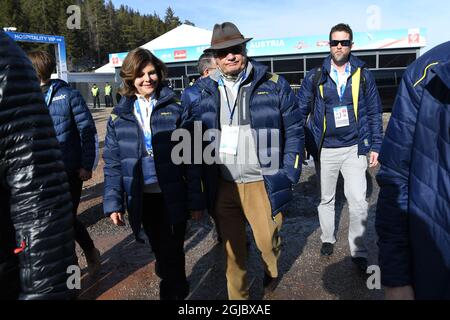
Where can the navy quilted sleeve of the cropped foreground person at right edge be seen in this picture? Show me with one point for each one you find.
(392, 208)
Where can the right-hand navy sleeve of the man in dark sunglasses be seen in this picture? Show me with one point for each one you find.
(374, 111)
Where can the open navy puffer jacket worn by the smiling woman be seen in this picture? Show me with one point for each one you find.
(181, 187)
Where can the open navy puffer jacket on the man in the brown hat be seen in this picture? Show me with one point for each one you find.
(273, 107)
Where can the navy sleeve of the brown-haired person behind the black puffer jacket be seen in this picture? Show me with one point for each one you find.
(86, 128)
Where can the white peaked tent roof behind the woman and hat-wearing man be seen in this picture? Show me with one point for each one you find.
(181, 36)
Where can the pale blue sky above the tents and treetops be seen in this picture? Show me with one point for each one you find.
(288, 18)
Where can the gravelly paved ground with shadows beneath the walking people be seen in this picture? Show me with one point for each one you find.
(128, 267)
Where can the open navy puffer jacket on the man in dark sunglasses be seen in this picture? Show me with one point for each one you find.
(369, 113)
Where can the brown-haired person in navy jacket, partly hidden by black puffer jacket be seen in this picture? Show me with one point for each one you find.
(77, 137)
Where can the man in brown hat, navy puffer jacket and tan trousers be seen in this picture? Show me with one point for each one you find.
(257, 153)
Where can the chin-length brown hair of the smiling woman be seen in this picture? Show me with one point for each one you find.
(133, 65)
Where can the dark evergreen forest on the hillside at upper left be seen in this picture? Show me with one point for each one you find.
(104, 29)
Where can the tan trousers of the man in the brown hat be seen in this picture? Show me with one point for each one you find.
(236, 204)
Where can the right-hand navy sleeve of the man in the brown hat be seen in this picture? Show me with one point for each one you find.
(294, 138)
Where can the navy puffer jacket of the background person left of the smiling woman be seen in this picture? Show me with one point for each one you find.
(74, 126)
